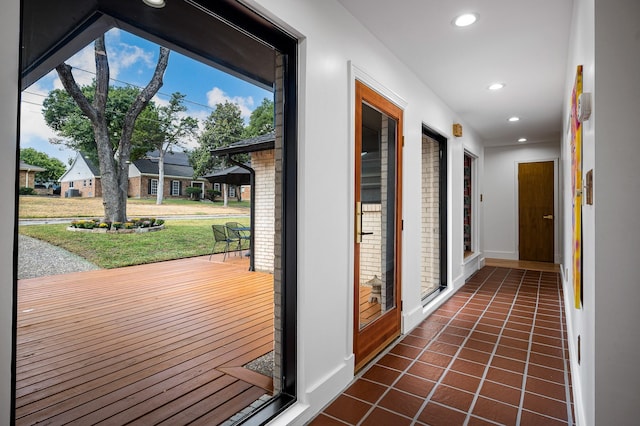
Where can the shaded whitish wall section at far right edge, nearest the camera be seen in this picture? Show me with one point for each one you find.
(617, 208)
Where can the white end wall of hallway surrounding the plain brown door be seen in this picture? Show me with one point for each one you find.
(500, 202)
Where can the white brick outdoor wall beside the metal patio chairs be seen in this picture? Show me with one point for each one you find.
(263, 162)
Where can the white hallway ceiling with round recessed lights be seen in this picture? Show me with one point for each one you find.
(523, 44)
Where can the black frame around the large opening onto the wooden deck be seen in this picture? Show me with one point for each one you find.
(260, 27)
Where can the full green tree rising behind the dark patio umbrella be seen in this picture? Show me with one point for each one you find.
(223, 127)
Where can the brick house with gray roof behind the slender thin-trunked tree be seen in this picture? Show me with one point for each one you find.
(178, 174)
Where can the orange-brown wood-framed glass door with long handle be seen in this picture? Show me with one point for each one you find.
(378, 157)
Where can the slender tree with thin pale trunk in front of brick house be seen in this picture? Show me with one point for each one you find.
(170, 133)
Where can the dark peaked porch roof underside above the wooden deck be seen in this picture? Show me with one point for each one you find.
(53, 34)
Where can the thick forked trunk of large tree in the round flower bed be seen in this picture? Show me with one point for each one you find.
(113, 144)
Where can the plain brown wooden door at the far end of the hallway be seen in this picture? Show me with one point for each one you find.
(535, 211)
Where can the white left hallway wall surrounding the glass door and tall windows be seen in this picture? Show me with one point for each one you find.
(331, 38)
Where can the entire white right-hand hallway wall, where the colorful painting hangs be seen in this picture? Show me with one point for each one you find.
(605, 41)
